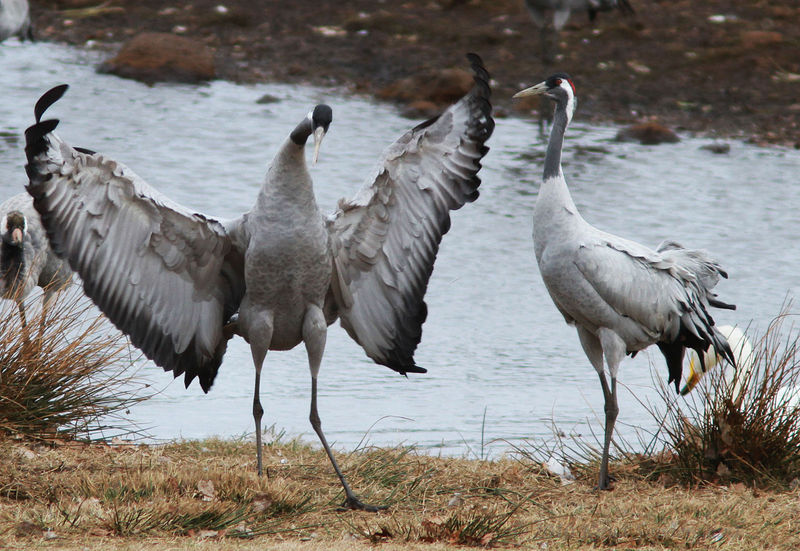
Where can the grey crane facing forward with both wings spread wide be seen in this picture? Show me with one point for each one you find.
(181, 283)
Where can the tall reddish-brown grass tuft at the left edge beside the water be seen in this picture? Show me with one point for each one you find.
(67, 376)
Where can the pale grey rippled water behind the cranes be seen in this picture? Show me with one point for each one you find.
(493, 341)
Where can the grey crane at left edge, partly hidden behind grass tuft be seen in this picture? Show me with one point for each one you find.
(26, 259)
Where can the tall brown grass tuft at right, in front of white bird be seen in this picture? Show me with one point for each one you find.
(742, 426)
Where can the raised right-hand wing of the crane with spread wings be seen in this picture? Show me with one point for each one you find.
(385, 239)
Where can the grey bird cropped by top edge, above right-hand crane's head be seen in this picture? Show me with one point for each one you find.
(557, 12)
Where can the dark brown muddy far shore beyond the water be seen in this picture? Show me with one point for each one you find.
(727, 68)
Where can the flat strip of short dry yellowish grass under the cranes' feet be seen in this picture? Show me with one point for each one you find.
(199, 494)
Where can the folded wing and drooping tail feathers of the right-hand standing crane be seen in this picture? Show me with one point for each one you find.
(665, 294)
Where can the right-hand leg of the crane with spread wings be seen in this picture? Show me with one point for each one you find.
(314, 335)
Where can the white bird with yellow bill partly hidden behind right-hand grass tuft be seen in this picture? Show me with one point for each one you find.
(787, 396)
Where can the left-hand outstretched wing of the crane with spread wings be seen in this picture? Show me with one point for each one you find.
(166, 276)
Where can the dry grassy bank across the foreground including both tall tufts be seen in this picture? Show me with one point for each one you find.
(68, 494)
